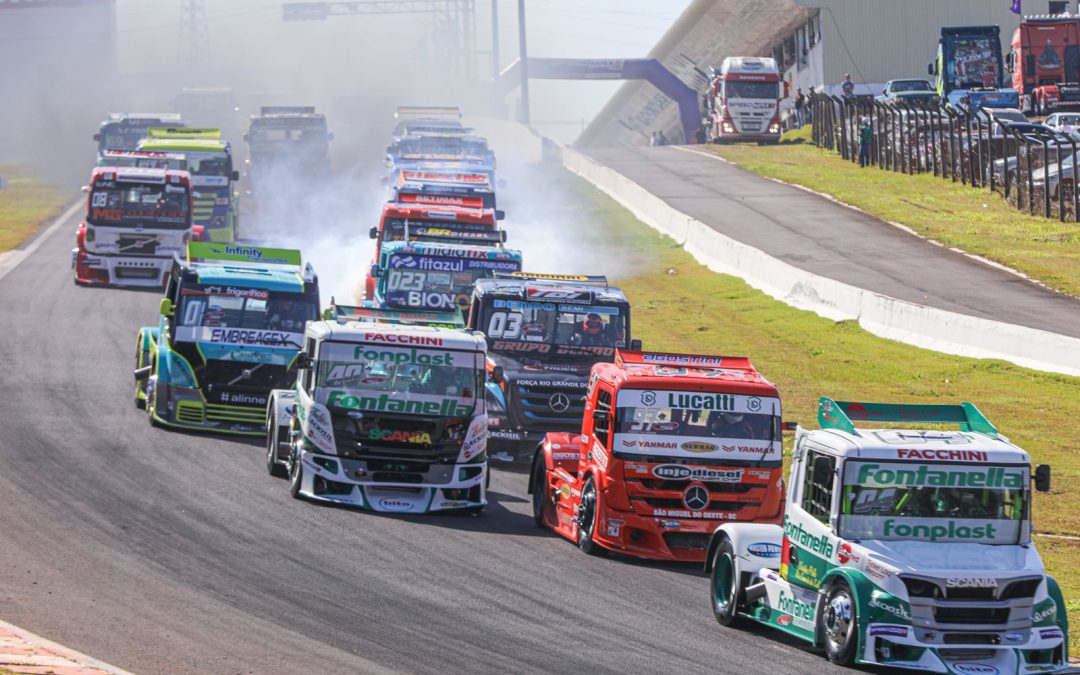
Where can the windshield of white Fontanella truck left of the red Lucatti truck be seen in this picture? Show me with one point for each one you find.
(399, 380)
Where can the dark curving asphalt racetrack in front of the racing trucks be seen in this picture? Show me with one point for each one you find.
(165, 552)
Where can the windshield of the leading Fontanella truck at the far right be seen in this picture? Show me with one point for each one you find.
(975, 504)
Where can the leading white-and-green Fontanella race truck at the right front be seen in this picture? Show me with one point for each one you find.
(902, 547)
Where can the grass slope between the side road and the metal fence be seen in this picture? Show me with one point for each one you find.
(978, 222)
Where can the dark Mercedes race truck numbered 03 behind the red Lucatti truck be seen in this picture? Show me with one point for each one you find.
(545, 333)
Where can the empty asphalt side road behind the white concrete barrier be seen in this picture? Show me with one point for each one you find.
(833, 241)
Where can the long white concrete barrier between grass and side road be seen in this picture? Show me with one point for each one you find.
(887, 317)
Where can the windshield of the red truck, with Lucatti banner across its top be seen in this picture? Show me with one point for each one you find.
(730, 427)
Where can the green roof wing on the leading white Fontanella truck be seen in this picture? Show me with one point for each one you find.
(840, 414)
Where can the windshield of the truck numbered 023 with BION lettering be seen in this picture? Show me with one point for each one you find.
(437, 282)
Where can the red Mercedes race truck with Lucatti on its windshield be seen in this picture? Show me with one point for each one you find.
(669, 447)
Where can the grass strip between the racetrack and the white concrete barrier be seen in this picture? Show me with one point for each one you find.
(681, 306)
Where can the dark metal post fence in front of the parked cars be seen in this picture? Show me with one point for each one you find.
(1031, 166)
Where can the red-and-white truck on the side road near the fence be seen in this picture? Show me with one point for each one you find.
(744, 101)
